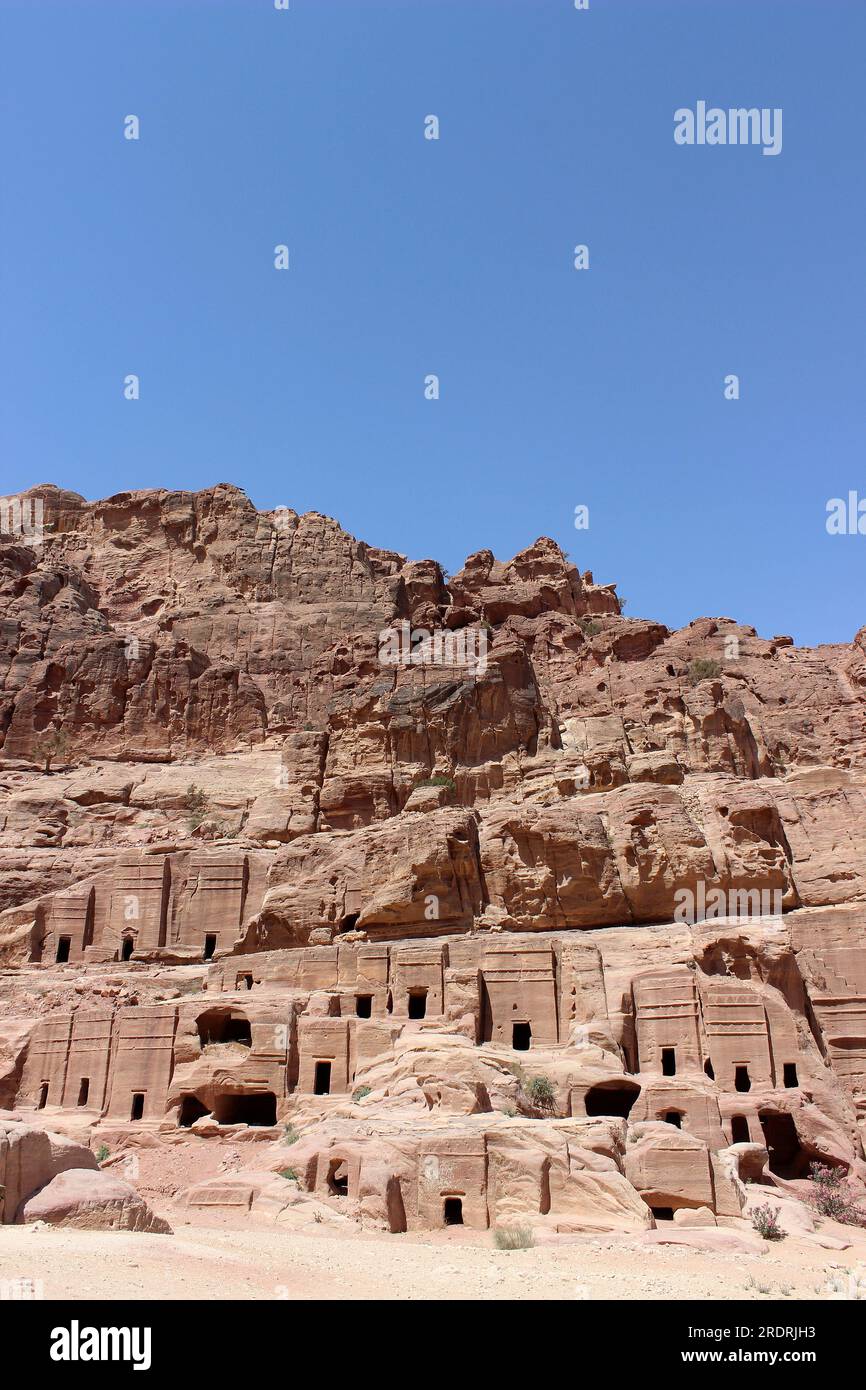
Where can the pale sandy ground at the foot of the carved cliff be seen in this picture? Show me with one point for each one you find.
(270, 1263)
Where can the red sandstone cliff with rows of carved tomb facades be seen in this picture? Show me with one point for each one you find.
(426, 889)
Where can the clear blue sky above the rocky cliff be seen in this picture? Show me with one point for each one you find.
(411, 256)
